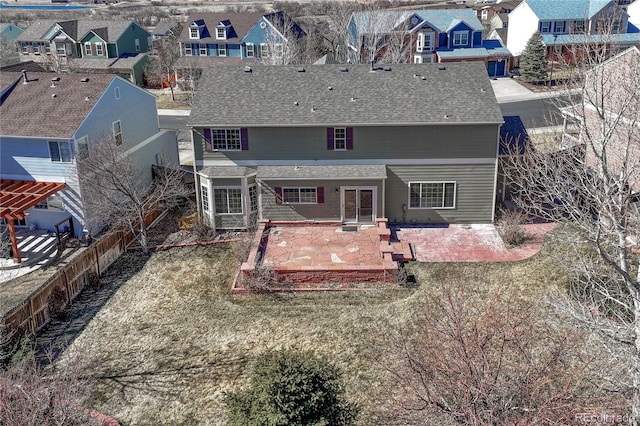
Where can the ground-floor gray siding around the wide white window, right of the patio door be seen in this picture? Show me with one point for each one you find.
(474, 193)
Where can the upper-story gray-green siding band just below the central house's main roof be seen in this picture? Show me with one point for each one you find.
(375, 142)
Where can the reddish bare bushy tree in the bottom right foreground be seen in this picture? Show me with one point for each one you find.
(475, 357)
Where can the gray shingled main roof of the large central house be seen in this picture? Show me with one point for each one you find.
(401, 94)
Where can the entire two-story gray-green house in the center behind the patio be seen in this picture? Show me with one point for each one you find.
(413, 143)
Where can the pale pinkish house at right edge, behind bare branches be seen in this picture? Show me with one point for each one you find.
(616, 115)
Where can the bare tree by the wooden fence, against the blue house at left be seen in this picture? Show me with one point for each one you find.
(115, 189)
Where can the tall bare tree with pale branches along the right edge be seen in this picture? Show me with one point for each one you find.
(589, 182)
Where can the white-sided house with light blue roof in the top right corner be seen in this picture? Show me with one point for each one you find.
(569, 23)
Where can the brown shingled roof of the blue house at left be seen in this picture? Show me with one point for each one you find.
(32, 110)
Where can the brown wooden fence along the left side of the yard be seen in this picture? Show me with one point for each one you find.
(33, 313)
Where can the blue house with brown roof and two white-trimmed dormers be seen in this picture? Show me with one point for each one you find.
(229, 38)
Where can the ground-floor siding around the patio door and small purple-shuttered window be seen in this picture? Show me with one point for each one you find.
(329, 210)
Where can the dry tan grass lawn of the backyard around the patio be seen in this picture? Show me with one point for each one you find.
(172, 338)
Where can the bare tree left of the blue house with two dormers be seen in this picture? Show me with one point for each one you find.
(164, 54)
